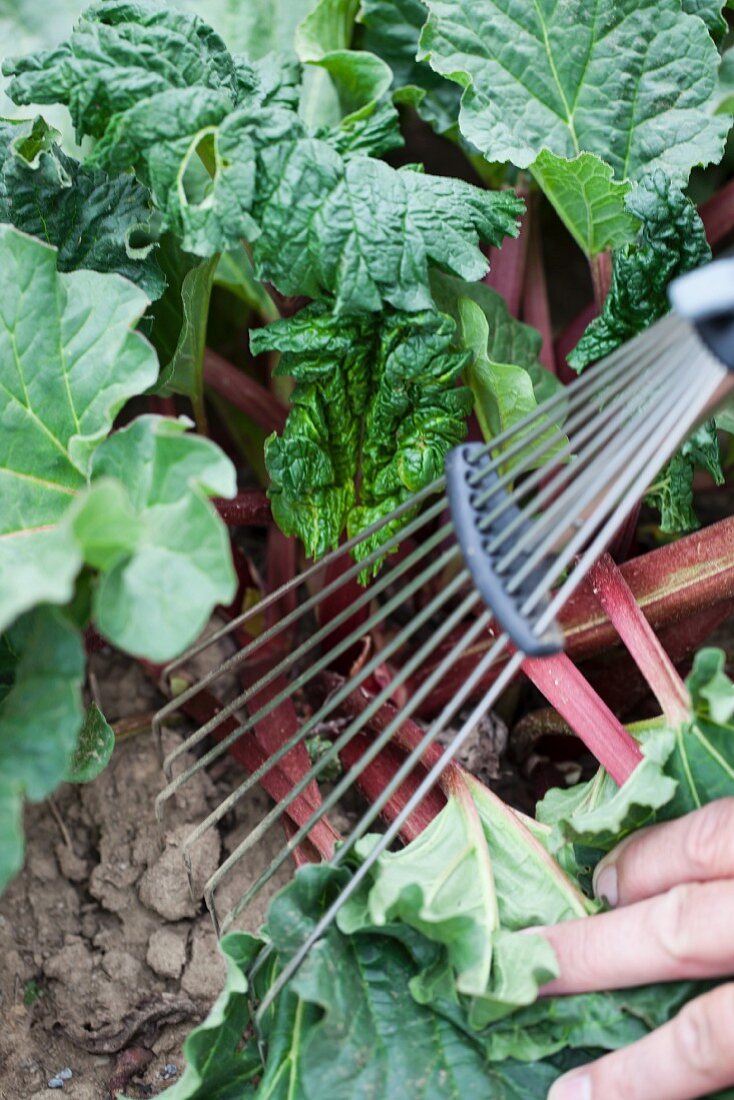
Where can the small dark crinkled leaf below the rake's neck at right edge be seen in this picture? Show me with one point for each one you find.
(673, 491)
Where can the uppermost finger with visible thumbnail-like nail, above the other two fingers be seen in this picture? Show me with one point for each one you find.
(696, 849)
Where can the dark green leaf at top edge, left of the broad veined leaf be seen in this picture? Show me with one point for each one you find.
(393, 29)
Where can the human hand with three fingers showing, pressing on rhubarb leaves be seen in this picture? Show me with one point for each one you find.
(672, 893)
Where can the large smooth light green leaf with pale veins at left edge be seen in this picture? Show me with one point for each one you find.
(69, 361)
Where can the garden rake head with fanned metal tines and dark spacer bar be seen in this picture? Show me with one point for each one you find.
(494, 549)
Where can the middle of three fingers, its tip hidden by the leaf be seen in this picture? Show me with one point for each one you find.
(687, 933)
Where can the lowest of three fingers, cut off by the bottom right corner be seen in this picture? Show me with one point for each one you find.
(691, 1057)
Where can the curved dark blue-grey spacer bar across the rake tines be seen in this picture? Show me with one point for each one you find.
(476, 526)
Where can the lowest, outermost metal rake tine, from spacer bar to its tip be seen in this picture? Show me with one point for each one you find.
(433, 777)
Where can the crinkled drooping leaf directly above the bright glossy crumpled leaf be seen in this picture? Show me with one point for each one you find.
(368, 234)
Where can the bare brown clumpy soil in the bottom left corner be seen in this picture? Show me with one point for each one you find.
(106, 961)
